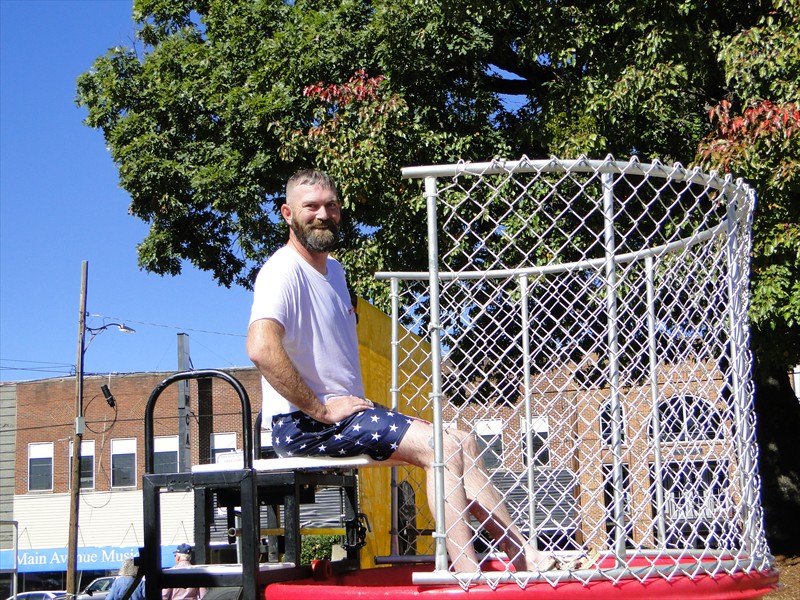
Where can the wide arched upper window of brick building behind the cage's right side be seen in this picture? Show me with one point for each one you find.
(687, 418)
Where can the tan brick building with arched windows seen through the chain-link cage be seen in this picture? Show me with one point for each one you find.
(572, 449)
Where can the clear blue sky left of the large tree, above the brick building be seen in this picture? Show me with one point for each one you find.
(60, 204)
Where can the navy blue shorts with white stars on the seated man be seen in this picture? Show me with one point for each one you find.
(376, 432)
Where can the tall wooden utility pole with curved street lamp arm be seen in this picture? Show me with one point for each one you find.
(80, 423)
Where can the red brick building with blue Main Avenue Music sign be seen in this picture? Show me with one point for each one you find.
(112, 462)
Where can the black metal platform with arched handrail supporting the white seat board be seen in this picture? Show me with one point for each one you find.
(240, 489)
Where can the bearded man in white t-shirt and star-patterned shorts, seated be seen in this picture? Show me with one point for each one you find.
(302, 338)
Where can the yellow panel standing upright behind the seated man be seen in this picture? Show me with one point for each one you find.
(375, 336)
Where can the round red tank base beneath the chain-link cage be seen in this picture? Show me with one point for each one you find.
(395, 582)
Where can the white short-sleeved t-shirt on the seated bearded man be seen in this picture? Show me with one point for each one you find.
(319, 319)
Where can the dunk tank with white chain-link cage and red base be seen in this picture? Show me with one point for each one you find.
(587, 322)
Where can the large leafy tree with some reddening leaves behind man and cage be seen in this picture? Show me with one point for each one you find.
(221, 100)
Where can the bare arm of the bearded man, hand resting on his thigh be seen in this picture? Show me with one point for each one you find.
(265, 349)
